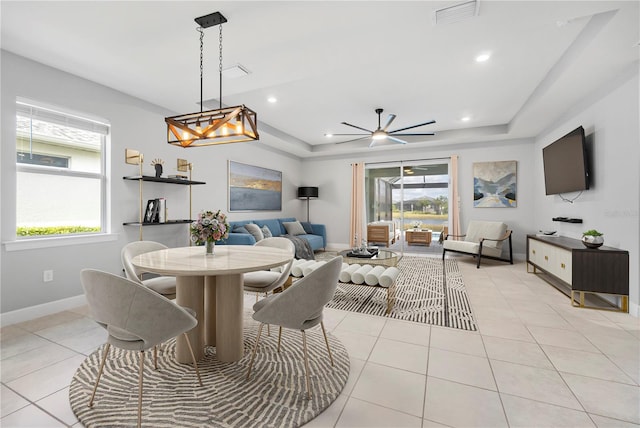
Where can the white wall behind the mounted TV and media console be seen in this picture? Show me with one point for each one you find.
(611, 205)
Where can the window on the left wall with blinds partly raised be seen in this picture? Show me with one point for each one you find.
(60, 167)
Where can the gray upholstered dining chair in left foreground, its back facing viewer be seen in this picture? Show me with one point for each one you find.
(135, 318)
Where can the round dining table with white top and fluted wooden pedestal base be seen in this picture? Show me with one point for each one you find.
(213, 287)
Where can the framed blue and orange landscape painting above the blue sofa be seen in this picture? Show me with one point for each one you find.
(252, 188)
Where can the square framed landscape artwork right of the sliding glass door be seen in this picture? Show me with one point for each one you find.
(494, 184)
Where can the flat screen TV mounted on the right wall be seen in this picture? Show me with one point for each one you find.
(565, 164)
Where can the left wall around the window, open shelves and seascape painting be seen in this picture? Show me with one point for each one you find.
(134, 124)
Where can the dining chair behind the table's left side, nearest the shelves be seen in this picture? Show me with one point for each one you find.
(165, 285)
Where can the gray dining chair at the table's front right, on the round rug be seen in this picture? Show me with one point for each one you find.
(299, 307)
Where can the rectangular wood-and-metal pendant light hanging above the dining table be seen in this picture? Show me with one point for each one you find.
(221, 126)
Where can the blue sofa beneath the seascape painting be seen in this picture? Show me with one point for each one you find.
(317, 239)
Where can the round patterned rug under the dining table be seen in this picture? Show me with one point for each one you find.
(274, 396)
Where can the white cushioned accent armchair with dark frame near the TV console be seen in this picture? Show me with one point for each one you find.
(484, 239)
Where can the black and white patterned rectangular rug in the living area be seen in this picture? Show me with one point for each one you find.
(426, 291)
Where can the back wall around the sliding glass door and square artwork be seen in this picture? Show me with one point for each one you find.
(333, 206)
